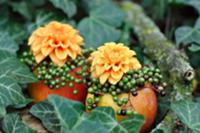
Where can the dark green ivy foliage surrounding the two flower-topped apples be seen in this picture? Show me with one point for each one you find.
(98, 21)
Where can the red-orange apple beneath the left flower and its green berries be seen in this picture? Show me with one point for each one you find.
(39, 91)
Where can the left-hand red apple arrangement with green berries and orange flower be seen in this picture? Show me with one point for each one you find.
(58, 61)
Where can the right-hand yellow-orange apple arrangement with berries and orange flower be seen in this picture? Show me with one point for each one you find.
(118, 80)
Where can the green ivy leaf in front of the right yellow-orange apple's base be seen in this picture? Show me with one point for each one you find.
(106, 117)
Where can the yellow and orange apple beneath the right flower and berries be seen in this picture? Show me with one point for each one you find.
(145, 103)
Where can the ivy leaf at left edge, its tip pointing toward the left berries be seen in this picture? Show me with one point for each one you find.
(13, 68)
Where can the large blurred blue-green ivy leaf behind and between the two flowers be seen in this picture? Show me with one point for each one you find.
(100, 26)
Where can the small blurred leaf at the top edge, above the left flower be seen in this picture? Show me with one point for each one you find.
(67, 6)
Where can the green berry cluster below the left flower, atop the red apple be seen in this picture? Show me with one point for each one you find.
(55, 77)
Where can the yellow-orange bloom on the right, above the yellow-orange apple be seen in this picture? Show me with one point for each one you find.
(111, 61)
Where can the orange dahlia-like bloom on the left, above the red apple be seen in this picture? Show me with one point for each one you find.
(58, 41)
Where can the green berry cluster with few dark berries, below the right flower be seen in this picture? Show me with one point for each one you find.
(131, 82)
